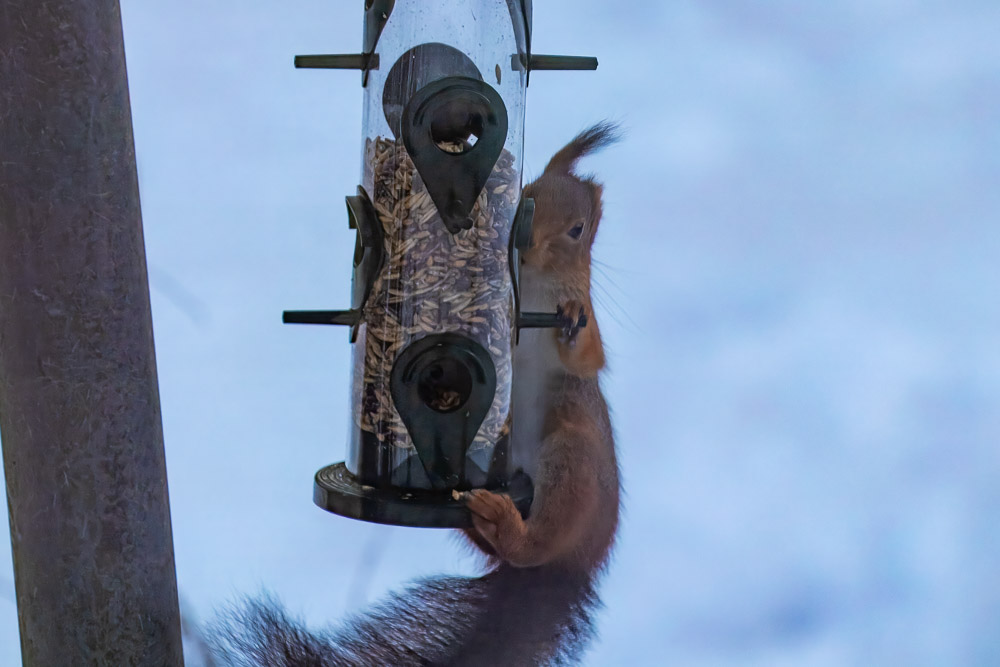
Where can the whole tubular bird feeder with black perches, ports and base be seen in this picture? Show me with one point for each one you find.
(440, 221)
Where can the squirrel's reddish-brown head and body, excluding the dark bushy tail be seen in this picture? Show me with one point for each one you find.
(574, 515)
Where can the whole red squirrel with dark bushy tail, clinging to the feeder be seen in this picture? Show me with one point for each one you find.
(534, 605)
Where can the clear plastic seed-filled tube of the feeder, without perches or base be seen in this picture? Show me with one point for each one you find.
(436, 279)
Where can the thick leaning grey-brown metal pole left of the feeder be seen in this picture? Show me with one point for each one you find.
(79, 405)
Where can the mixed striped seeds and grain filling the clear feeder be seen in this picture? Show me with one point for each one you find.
(434, 281)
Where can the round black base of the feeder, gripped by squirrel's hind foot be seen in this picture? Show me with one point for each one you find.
(336, 490)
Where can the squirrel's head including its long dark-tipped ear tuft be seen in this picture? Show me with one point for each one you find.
(567, 207)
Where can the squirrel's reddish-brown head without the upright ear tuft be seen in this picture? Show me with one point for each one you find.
(567, 213)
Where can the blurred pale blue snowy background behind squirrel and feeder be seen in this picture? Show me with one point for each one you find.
(799, 287)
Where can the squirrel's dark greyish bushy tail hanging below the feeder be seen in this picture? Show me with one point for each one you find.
(530, 616)
